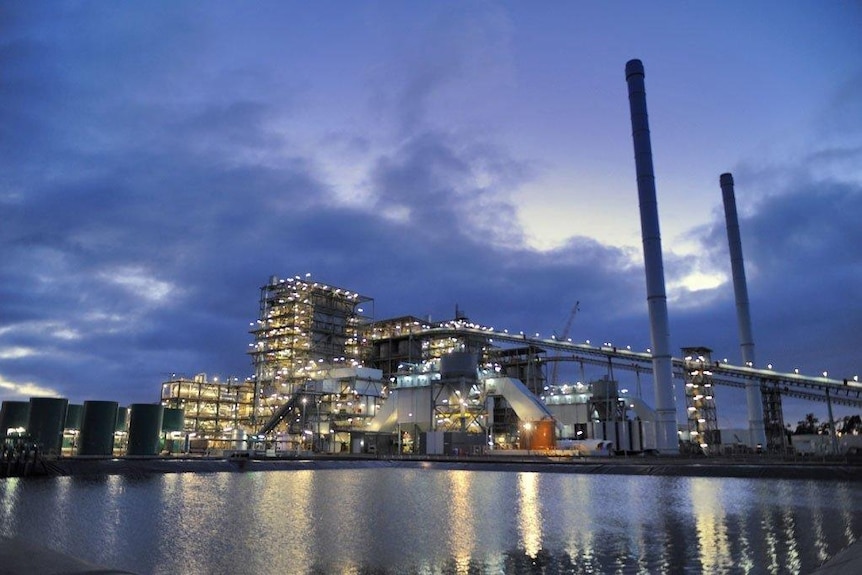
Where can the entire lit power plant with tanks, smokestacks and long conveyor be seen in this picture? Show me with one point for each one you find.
(329, 378)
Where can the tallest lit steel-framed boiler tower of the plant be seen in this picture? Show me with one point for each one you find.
(304, 328)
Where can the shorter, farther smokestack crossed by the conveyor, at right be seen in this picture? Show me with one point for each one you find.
(757, 434)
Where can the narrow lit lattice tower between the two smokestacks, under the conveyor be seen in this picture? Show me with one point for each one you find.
(700, 399)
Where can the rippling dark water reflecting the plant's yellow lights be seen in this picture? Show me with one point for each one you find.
(403, 520)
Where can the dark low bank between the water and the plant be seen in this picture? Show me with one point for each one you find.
(754, 468)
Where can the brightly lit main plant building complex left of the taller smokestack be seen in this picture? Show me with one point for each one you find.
(328, 378)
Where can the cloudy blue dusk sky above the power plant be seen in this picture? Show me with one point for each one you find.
(159, 161)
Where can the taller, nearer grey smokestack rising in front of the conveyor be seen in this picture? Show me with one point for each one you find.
(667, 440)
